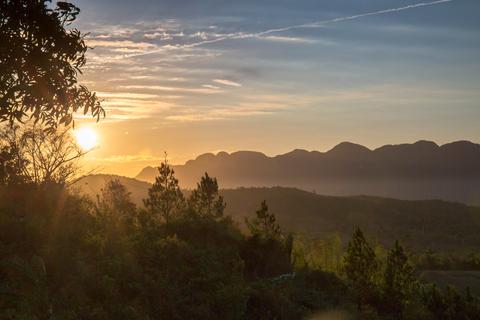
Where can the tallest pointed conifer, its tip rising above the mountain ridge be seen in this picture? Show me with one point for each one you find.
(165, 197)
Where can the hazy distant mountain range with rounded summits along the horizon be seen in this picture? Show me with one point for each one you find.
(418, 171)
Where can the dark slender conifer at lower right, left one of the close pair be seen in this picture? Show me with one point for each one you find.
(361, 268)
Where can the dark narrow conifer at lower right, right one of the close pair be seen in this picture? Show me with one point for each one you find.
(399, 281)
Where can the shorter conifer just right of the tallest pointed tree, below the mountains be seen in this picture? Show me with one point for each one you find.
(205, 200)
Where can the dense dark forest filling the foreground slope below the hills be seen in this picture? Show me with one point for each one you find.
(65, 256)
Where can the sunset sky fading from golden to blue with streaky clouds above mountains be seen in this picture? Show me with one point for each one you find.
(188, 77)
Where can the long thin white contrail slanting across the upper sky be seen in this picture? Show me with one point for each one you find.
(315, 24)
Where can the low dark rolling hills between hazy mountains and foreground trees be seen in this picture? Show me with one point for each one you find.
(432, 224)
